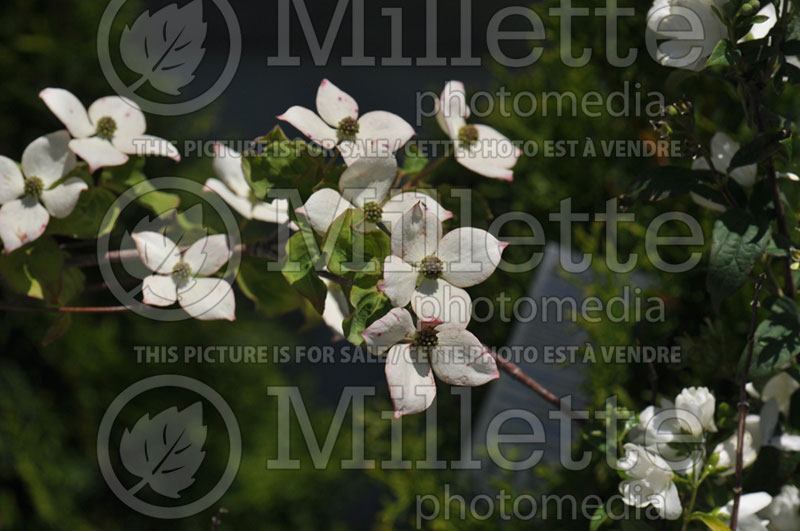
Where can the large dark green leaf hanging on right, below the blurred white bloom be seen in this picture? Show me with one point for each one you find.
(737, 242)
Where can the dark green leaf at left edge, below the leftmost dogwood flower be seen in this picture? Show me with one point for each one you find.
(35, 270)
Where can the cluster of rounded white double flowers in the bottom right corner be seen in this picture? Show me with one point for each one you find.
(668, 447)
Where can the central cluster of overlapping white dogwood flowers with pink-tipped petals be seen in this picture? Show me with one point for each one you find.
(425, 269)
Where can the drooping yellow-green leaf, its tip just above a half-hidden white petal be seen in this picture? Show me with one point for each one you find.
(299, 268)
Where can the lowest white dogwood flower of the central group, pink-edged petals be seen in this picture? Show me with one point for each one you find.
(416, 353)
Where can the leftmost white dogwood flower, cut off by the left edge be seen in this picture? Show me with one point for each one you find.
(45, 162)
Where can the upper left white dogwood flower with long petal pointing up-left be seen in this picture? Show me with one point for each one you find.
(112, 128)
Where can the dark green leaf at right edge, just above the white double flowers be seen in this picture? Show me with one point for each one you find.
(776, 339)
